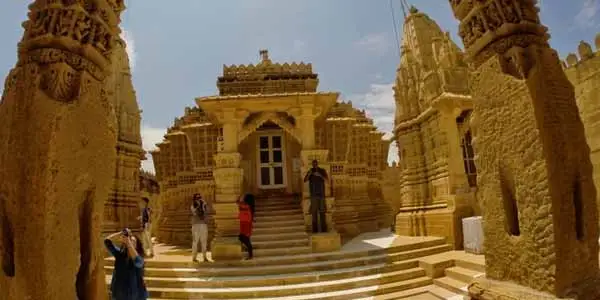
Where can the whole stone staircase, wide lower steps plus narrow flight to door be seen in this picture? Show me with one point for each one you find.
(285, 268)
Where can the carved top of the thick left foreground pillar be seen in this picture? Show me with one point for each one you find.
(71, 41)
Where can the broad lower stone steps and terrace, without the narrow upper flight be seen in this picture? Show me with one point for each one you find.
(378, 265)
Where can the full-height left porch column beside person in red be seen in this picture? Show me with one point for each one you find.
(228, 188)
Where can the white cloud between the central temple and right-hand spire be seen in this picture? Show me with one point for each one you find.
(380, 105)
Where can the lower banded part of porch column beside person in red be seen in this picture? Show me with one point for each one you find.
(228, 182)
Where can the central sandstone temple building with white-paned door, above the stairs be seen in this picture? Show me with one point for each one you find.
(259, 135)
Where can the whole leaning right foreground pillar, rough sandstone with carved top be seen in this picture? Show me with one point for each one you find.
(534, 169)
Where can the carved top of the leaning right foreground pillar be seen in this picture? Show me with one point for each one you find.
(490, 27)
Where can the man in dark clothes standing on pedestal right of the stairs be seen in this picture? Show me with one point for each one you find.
(316, 178)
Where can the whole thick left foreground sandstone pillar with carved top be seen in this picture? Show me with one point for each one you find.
(58, 133)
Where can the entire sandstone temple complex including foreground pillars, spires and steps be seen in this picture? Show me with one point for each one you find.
(497, 142)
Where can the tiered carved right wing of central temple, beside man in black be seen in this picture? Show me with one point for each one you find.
(358, 155)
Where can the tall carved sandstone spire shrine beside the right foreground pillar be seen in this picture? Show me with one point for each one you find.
(431, 92)
